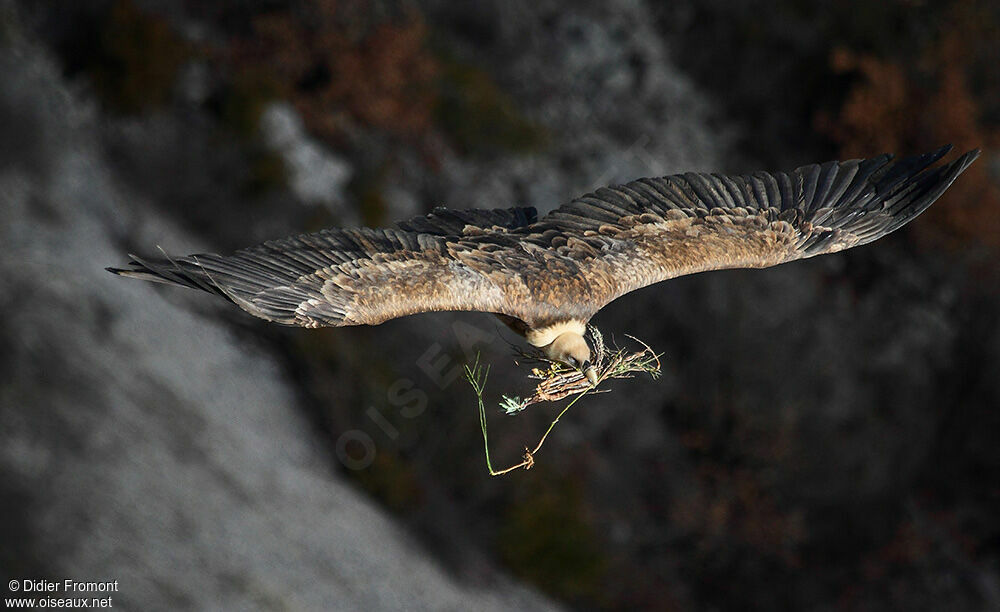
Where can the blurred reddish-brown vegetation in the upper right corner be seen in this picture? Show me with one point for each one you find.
(908, 107)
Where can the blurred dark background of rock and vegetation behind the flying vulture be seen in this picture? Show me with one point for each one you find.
(824, 435)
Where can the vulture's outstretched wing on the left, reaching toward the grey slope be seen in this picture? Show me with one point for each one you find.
(360, 276)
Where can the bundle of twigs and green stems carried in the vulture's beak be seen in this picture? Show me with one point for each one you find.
(558, 382)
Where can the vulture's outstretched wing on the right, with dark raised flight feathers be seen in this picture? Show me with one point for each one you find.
(629, 236)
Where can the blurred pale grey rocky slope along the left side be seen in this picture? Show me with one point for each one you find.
(146, 443)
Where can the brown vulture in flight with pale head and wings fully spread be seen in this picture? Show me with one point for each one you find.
(547, 277)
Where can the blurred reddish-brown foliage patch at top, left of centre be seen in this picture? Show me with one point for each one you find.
(338, 68)
